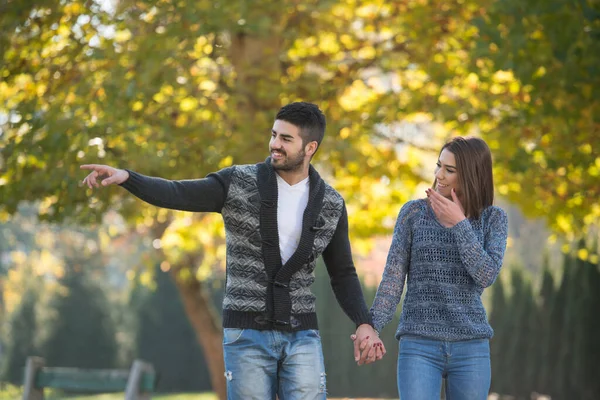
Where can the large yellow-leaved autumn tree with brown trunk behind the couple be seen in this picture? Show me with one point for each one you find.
(179, 89)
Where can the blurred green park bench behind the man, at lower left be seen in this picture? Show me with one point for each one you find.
(137, 383)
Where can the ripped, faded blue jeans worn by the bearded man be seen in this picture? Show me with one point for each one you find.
(262, 364)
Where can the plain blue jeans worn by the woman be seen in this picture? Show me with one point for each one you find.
(423, 363)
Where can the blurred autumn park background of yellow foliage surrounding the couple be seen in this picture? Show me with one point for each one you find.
(178, 89)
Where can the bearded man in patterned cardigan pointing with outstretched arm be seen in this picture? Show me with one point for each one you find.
(280, 216)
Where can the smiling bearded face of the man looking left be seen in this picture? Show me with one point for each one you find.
(287, 150)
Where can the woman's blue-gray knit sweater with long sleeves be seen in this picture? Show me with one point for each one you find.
(446, 270)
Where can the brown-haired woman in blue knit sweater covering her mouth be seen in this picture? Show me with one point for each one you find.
(448, 248)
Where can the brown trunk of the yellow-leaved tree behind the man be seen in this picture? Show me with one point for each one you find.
(256, 60)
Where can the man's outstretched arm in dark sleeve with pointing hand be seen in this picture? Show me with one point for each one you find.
(207, 194)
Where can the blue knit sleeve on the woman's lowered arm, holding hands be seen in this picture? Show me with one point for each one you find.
(390, 289)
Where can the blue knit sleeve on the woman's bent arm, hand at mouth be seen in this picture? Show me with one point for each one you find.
(483, 262)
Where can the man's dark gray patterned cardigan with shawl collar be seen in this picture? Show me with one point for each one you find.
(260, 292)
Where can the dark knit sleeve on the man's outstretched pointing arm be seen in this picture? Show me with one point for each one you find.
(204, 195)
